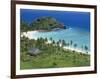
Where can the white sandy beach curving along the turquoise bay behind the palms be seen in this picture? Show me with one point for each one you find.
(29, 35)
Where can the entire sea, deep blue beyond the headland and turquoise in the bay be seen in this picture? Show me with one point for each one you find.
(78, 23)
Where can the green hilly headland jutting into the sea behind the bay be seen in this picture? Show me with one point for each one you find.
(42, 23)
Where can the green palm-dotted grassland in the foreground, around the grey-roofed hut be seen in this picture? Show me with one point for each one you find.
(52, 54)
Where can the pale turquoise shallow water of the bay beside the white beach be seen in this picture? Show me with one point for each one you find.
(78, 36)
